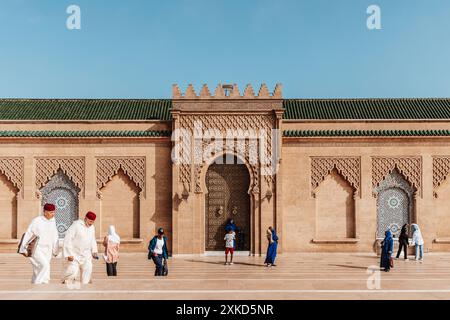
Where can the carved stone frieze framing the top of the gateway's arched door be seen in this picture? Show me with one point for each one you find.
(250, 136)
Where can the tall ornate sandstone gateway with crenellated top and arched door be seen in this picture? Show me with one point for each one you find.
(206, 126)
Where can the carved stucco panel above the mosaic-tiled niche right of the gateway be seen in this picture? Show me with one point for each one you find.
(409, 167)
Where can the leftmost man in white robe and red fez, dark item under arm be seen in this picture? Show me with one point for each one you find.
(43, 227)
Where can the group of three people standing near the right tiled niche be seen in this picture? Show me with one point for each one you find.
(387, 246)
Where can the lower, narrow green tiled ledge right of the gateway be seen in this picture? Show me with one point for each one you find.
(366, 133)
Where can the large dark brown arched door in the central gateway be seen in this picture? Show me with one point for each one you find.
(227, 198)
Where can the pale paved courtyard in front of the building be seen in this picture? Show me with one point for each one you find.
(297, 276)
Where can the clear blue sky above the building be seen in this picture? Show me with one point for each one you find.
(139, 48)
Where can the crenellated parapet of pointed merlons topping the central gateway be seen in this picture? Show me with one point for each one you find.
(227, 92)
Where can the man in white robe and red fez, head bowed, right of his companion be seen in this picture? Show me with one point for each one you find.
(80, 246)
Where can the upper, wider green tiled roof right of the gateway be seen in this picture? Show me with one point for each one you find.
(322, 109)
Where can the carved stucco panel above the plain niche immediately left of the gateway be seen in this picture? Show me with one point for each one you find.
(108, 167)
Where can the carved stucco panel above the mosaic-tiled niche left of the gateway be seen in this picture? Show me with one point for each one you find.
(72, 167)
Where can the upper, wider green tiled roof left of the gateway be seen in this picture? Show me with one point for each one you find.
(84, 109)
